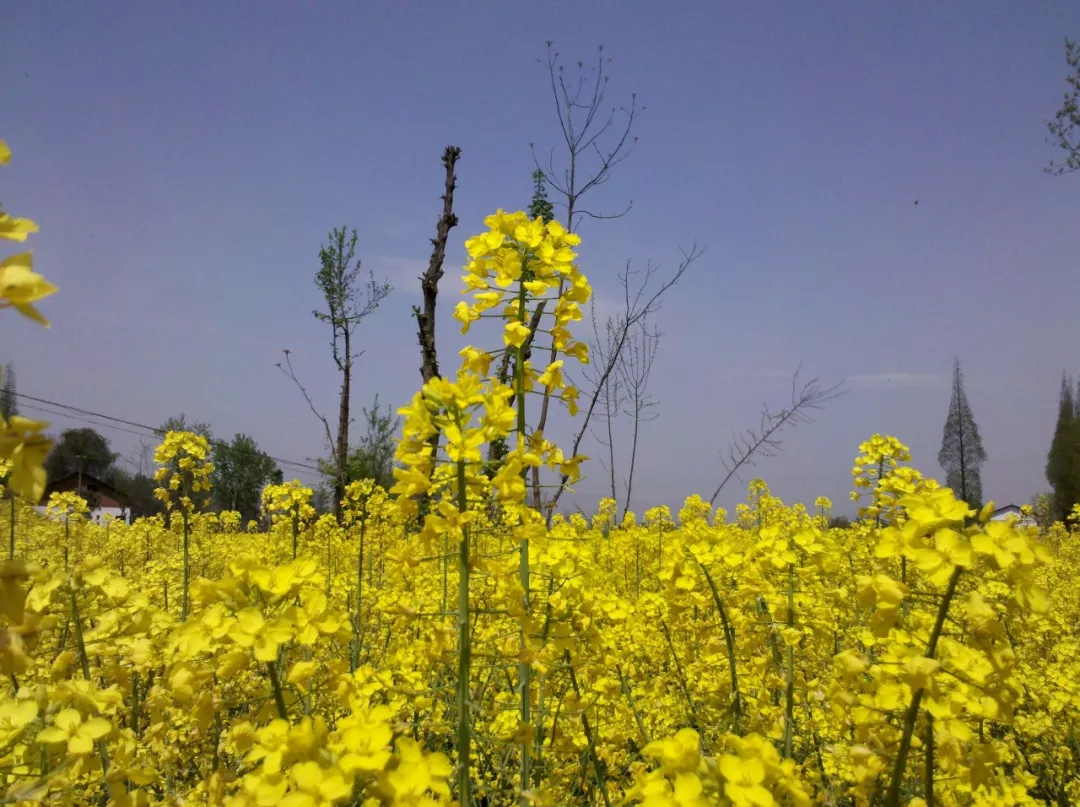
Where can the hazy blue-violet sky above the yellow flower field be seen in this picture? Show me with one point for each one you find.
(185, 162)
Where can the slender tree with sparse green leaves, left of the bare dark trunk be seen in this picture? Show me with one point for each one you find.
(350, 300)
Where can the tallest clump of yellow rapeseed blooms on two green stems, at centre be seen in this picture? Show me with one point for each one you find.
(529, 260)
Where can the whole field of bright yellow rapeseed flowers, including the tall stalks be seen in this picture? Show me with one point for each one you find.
(443, 643)
